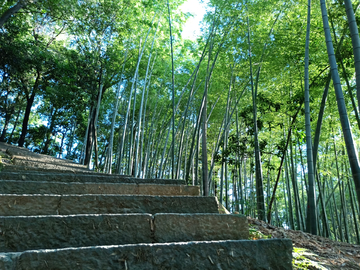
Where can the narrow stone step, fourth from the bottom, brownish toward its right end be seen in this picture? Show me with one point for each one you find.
(46, 187)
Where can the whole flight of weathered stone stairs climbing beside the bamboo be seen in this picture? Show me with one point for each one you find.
(55, 214)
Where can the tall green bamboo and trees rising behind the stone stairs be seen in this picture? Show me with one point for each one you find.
(261, 109)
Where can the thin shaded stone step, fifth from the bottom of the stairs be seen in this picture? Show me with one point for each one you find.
(81, 177)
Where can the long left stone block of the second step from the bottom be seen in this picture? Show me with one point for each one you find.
(44, 232)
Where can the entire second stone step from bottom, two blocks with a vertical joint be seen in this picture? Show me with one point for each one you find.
(49, 232)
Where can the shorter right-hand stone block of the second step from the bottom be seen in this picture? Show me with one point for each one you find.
(199, 227)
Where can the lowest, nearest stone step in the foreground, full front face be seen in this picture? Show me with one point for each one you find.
(239, 254)
